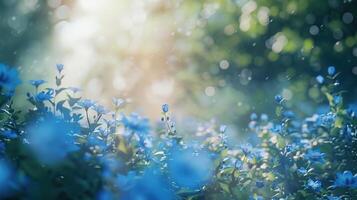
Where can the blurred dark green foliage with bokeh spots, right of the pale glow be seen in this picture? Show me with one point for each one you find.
(270, 47)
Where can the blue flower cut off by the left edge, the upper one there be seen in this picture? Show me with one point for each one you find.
(9, 78)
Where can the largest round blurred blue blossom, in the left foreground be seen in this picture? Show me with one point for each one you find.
(51, 139)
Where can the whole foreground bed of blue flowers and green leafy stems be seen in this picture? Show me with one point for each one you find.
(67, 147)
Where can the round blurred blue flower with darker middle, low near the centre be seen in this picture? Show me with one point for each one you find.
(190, 169)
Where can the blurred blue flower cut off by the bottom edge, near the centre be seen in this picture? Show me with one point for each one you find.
(150, 186)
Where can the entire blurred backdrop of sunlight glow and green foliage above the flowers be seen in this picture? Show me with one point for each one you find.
(220, 59)
